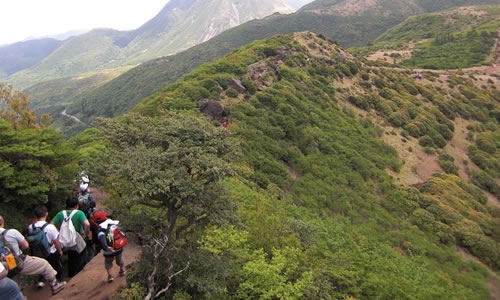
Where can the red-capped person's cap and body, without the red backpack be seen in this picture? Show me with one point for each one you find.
(110, 254)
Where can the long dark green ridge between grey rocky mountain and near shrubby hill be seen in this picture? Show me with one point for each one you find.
(124, 92)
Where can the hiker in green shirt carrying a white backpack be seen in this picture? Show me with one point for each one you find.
(77, 258)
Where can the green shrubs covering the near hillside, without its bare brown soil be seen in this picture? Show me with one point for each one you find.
(318, 217)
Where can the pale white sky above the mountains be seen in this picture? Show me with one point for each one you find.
(22, 19)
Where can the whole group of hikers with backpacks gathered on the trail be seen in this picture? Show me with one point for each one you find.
(80, 231)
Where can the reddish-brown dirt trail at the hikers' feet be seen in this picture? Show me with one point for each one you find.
(91, 282)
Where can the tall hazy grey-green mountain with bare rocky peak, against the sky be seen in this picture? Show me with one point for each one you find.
(180, 24)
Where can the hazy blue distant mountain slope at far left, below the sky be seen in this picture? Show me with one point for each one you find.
(22, 55)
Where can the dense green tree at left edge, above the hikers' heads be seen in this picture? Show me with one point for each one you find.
(36, 165)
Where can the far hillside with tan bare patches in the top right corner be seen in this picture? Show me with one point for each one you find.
(452, 39)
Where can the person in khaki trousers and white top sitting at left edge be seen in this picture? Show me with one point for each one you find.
(30, 265)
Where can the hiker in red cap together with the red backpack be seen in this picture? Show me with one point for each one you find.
(110, 250)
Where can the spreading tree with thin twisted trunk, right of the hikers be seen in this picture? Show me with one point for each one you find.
(168, 170)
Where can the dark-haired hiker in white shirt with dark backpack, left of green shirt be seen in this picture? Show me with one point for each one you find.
(54, 252)
